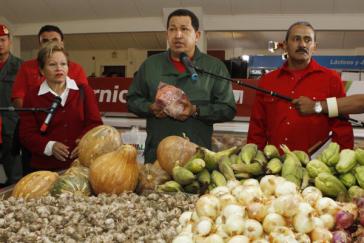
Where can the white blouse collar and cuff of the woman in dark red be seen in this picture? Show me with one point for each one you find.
(44, 89)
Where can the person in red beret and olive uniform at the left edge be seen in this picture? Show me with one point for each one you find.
(9, 65)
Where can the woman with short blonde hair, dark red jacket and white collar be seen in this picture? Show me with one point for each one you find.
(77, 113)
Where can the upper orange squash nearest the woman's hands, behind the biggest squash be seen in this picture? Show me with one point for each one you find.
(98, 141)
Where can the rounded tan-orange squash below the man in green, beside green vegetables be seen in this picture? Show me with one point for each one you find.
(172, 149)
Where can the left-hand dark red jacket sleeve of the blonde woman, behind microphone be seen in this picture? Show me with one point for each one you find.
(29, 132)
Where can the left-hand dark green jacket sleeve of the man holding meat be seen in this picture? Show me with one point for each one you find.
(138, 97)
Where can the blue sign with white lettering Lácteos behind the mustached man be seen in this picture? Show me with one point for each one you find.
(332, 62)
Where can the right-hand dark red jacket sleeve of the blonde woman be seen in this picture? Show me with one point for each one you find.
(92, 113)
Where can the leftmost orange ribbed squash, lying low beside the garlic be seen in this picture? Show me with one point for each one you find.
(35, 185)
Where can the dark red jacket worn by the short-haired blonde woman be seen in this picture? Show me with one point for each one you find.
(68, 123)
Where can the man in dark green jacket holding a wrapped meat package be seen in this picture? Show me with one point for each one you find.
(211, 100)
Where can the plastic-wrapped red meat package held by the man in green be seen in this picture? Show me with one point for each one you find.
(172, 99)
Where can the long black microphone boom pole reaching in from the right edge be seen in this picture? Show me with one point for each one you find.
(270, 92)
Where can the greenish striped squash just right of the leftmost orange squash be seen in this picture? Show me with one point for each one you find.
(73, 184)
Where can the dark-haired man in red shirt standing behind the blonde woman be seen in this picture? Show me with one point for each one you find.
(29, 75)
